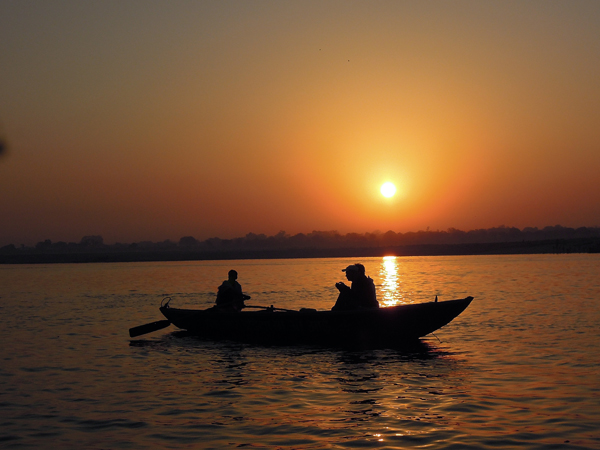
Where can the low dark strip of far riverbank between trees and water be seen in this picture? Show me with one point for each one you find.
(550, 246)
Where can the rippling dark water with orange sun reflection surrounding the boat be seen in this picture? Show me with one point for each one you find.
(518, 369)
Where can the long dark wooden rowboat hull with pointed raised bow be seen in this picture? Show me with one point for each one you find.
(396, 324)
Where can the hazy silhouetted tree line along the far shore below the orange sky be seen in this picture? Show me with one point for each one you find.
(315, 240)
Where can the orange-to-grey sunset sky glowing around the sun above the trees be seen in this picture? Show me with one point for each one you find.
(153, 120)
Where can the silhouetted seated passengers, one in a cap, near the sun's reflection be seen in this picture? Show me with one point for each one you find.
(360, 295)
